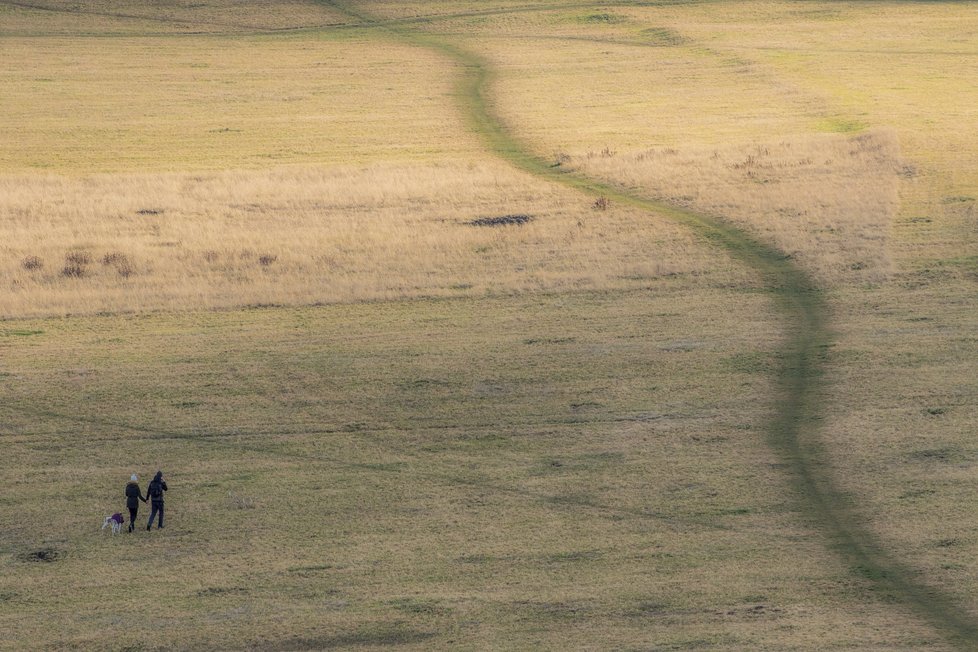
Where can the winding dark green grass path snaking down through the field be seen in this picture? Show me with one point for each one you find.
(792, 431)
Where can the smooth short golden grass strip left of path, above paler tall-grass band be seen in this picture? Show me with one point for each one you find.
(82, 105)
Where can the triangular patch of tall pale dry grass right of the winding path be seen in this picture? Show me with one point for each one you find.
(827, 200)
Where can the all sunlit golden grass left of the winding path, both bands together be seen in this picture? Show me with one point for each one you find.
(292, 235)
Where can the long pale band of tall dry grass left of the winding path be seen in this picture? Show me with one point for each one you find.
(311, 235)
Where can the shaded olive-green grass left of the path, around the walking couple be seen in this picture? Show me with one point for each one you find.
(451, 474)
